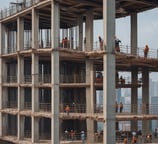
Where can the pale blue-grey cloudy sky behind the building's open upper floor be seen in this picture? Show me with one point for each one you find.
(147, 29)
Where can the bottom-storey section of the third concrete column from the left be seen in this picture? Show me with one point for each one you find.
(35, 129)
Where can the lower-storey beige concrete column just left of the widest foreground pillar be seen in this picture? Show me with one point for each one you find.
(90, 100)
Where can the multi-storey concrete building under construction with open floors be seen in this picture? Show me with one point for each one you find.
(51, 71)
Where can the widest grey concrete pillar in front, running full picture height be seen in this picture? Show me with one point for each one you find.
(109, 72)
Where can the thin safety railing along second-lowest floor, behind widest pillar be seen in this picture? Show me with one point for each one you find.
(128, 109)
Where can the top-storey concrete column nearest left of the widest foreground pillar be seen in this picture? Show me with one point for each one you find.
(89, 30)
